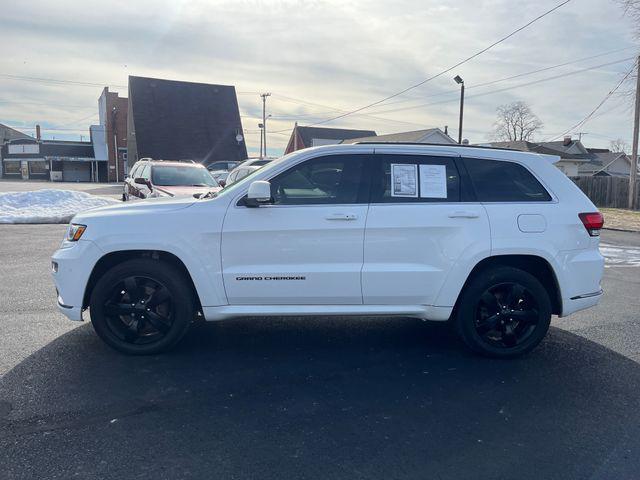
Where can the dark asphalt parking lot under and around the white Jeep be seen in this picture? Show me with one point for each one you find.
(314, 398)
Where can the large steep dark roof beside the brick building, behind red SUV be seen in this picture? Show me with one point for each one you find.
(173, 120)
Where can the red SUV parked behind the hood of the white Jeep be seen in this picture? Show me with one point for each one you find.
(159, 178)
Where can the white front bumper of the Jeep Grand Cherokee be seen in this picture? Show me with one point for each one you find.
(75, 261)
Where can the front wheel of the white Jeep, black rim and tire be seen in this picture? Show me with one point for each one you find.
(142, 306)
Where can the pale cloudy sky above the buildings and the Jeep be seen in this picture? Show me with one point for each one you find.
(321, 57)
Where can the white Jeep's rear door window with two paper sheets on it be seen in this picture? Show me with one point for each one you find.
(415, 178)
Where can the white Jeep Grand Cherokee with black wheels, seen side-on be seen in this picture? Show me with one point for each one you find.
(496, 241)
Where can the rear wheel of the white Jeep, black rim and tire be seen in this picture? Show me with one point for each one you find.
(503, 312)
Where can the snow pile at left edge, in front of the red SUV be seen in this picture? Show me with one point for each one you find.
(47, 206)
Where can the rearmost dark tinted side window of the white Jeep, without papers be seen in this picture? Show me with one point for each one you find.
(497, 181)
